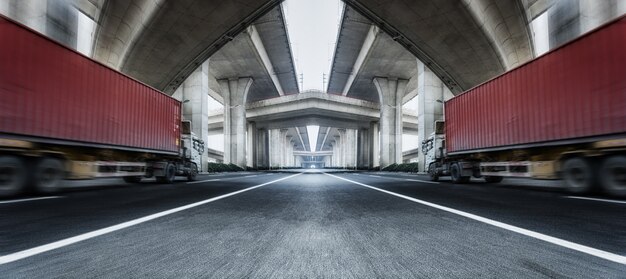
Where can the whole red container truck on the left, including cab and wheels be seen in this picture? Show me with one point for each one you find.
(63, 115)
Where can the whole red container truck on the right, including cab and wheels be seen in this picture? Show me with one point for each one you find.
(562, 115)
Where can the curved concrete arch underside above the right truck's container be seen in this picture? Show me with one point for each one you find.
(464, 42)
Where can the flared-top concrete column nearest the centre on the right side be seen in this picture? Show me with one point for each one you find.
(391, 92)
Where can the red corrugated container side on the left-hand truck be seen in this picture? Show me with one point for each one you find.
(52, 92)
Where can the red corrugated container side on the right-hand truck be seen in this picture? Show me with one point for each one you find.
(574, 92)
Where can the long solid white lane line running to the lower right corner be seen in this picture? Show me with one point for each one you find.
(563, 243)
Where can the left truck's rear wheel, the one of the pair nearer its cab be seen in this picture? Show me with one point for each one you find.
(49, 174)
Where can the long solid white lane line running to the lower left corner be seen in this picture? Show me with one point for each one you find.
(68, 241)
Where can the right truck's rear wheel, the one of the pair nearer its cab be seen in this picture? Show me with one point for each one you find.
(578, 175)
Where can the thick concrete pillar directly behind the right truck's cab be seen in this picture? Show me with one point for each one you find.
(431, 96)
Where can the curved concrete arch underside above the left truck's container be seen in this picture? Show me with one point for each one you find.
(162, 42)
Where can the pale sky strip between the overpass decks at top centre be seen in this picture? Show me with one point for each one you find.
(313, 27)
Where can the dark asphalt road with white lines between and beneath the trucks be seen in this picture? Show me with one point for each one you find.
(311, 225)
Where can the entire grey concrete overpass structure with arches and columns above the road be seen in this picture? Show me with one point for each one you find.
(238, 52)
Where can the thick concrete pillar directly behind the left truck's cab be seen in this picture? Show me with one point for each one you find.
(195, 98)
